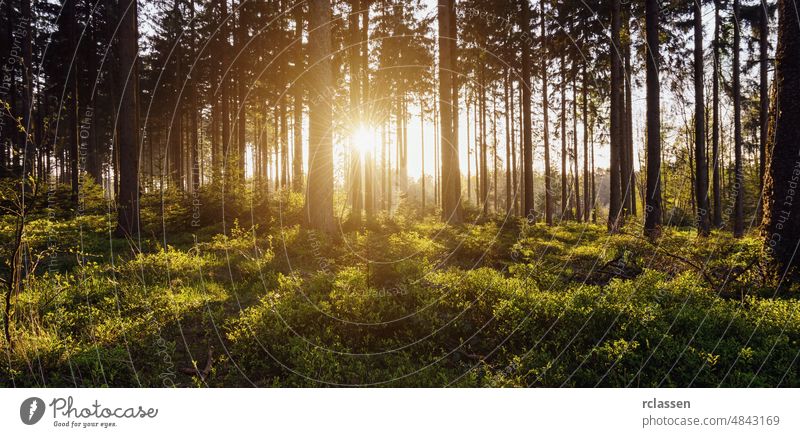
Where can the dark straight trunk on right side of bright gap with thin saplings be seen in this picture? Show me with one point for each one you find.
(701, 170)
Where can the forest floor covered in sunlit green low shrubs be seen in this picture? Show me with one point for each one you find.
(498, 303)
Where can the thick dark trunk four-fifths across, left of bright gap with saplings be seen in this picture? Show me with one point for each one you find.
(652, 210)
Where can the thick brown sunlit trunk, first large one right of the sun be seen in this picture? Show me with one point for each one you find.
(451, 177)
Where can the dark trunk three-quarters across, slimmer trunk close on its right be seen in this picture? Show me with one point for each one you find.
(617, 143)
